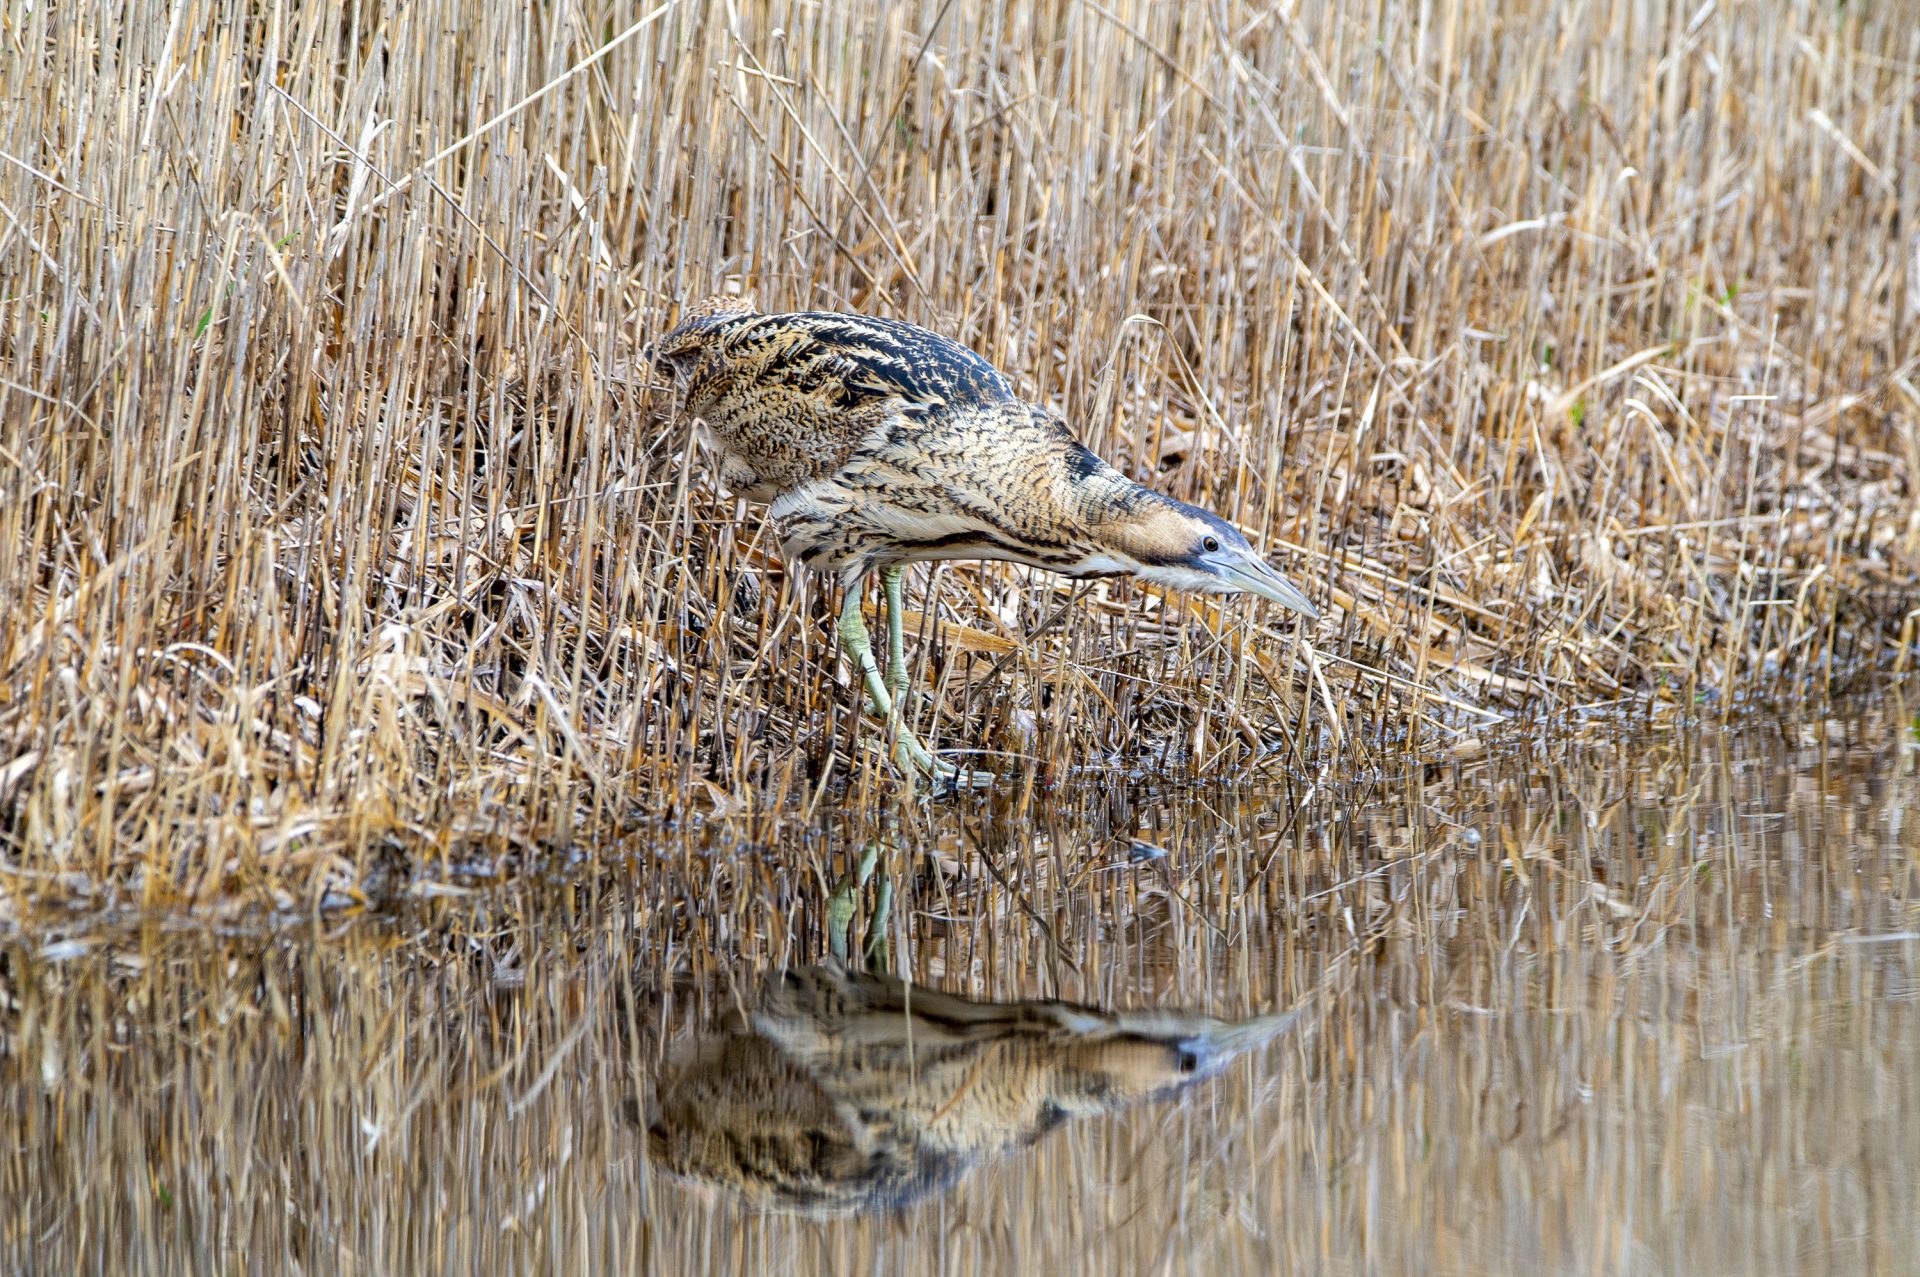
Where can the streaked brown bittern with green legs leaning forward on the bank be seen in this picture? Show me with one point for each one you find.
(882, 445)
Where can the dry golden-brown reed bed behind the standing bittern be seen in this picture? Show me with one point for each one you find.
(1568, 352)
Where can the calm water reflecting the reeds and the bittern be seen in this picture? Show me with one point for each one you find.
(1631, 1009)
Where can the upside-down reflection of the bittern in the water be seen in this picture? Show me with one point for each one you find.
(842, 1092)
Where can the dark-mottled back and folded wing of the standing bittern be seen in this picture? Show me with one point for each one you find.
(790, 398)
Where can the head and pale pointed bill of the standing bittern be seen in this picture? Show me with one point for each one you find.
(1186, 548)
